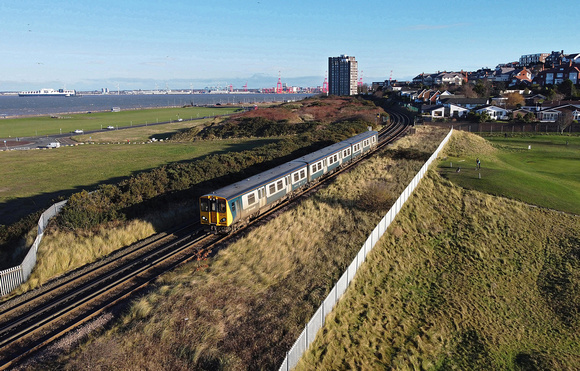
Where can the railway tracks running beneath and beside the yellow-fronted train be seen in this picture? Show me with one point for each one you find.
(37, 319)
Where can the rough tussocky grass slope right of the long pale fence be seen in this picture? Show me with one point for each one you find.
(466, 280)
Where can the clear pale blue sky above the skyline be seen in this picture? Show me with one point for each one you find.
(91, 44)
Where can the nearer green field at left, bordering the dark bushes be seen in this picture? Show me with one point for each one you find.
(31, 179)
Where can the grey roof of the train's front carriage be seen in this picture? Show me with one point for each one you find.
(258, 180)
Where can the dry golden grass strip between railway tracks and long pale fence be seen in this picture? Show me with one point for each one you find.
(247, 308)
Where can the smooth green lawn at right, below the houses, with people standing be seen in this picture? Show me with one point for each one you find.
(547, 174)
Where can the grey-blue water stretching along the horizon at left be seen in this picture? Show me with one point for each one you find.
(11, 106)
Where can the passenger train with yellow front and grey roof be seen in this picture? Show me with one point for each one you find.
(227, 208)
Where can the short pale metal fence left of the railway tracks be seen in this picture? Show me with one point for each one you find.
(13, 277)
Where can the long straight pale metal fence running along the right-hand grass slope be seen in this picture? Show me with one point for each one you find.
(317, 321)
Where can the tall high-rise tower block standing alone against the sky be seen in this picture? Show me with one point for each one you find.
(342, 75)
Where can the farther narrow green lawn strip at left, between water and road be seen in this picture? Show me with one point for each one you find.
(45, 125)
